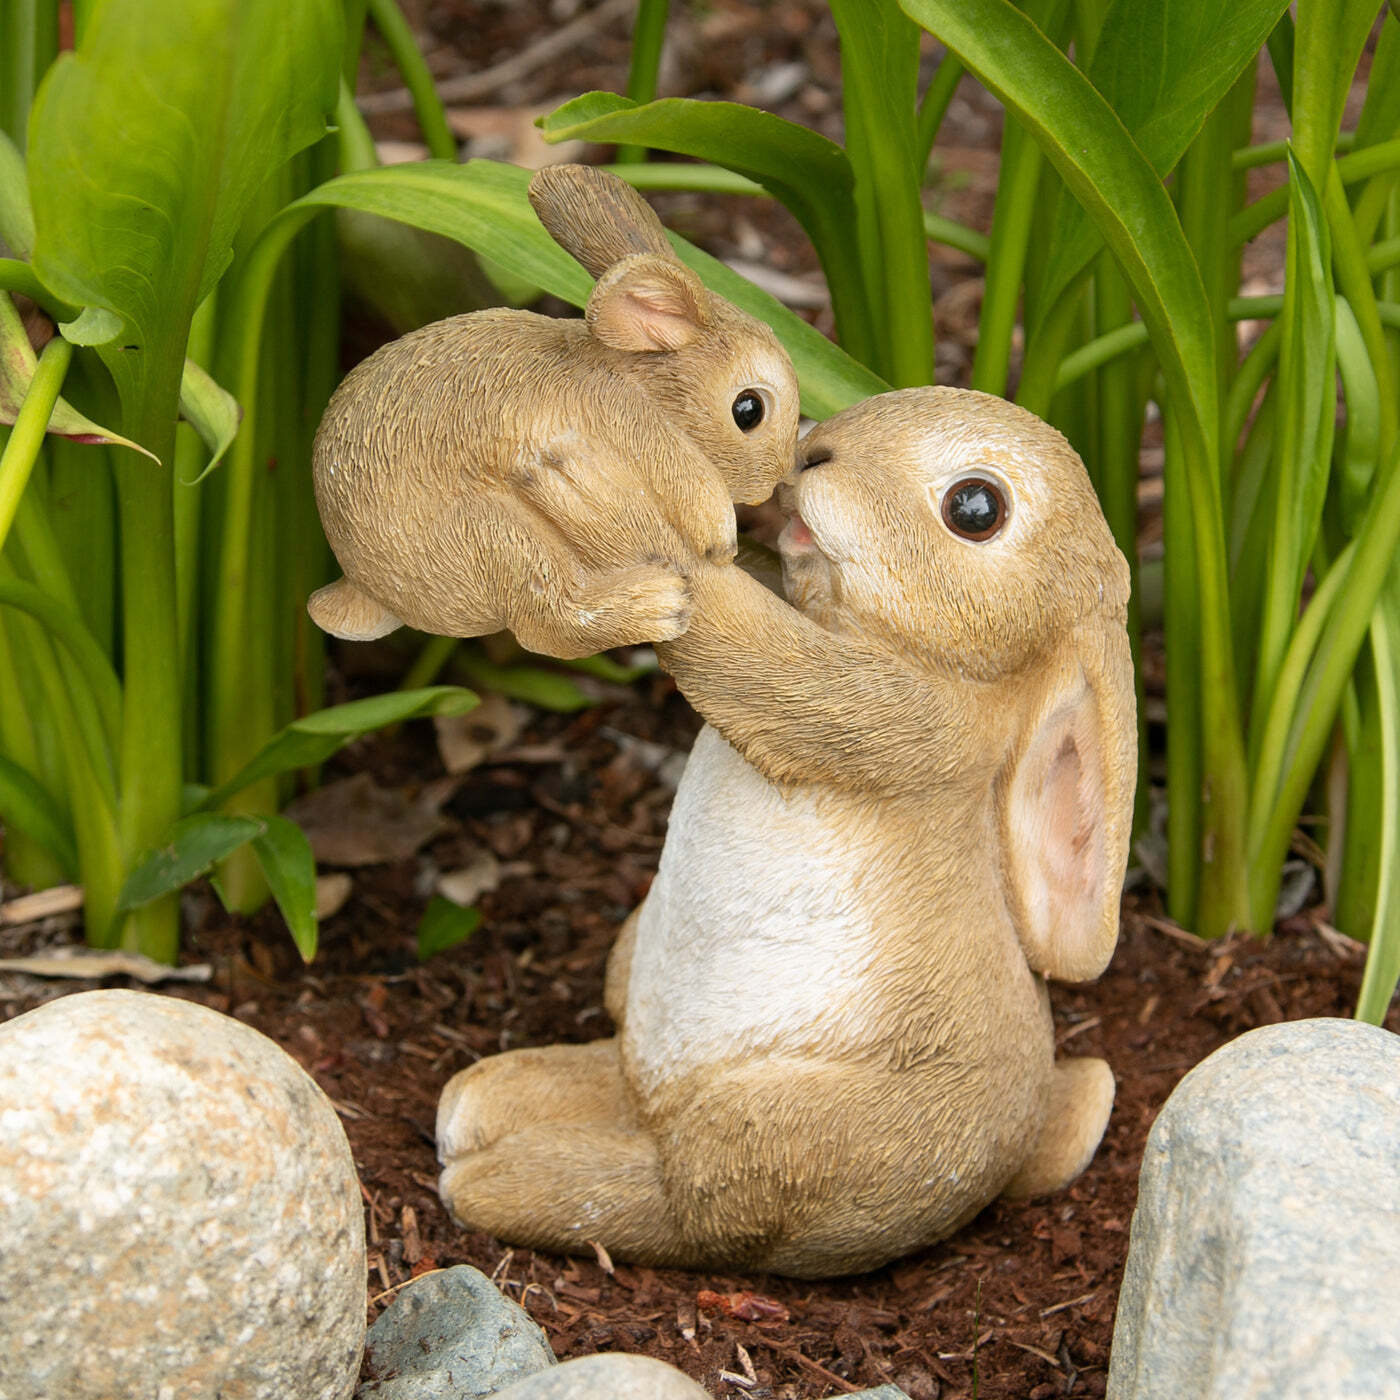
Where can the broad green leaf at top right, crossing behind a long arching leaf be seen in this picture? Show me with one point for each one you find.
(1163, 66)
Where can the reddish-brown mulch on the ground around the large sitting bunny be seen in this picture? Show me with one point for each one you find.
(1017, 1305)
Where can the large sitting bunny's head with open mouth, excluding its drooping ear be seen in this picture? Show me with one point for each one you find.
(951, 526)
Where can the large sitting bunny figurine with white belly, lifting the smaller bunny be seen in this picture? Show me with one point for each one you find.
(909, 808)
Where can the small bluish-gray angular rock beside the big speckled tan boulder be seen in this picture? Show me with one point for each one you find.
(451, 1336)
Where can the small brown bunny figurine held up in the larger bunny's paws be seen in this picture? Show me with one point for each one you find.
(506, 470)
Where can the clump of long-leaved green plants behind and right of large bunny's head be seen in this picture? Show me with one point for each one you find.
(1116, 247)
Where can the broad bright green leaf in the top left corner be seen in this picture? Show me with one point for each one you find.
(146, 146)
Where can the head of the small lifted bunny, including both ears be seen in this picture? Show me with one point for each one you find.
(716, 373)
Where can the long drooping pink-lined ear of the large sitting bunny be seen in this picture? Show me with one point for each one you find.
(1067, 810)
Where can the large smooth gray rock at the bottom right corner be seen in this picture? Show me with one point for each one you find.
(1265, 1259)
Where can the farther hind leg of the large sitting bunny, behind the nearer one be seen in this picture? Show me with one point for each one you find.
(507, 1093)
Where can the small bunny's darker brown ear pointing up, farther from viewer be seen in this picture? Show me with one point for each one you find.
(596, 218)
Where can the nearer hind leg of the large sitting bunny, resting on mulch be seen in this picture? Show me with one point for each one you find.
(563, 1186)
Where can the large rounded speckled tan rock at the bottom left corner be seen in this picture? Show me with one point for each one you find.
(181, 1212)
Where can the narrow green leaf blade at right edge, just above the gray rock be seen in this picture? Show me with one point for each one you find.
(1378, 983)
